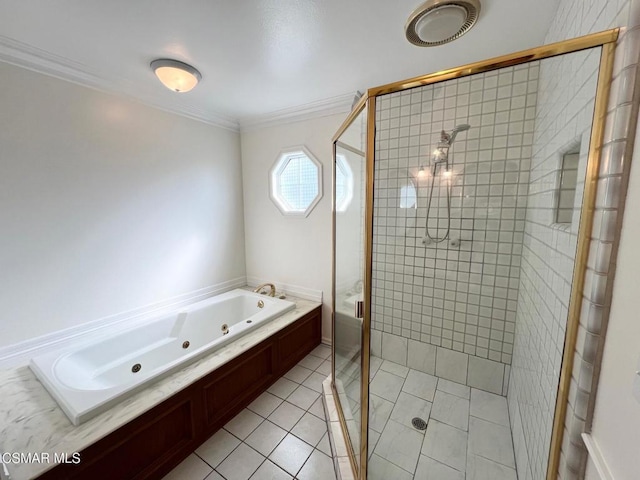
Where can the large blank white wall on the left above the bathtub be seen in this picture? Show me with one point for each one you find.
(107, 205)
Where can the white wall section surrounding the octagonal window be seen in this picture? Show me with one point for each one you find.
(289, 250)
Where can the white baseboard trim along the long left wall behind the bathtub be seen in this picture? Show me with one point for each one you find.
(19, 354)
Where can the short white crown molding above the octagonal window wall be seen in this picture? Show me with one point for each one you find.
(321, 108)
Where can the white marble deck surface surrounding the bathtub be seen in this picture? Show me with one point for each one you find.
(32, 422)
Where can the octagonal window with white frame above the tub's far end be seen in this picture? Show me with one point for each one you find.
(296, 182)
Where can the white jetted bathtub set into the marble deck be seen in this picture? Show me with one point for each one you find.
(90, 378)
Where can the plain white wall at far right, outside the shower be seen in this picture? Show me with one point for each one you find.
(616, 423)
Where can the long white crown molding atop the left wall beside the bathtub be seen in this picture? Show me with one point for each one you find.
(38, 60)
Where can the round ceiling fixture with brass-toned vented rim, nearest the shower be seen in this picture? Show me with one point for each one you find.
(437, 22)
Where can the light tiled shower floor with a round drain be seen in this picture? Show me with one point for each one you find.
(468, 434)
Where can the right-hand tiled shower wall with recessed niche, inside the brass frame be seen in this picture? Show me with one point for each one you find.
(564, 112)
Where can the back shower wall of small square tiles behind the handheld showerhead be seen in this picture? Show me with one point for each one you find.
(457, 298)
